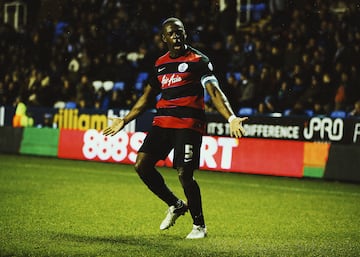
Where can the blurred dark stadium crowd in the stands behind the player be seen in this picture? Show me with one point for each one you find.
(304, 57)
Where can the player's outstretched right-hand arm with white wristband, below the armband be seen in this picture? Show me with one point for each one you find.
(222, 105)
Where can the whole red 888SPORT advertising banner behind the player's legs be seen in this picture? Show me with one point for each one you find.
(249, 155)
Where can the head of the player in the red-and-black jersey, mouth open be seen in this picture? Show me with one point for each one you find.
(174, 36)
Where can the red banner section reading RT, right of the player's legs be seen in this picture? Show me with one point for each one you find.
(256, 156)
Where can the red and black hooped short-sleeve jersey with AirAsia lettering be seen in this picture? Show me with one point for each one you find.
(182, 95)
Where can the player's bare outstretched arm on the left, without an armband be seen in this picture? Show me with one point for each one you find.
(140, 106)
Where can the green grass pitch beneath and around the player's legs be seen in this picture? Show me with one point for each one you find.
(52, 207)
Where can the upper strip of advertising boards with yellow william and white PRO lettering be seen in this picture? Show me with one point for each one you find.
(313, 129)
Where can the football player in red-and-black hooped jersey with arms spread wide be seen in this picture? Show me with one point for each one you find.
(180, 76)
